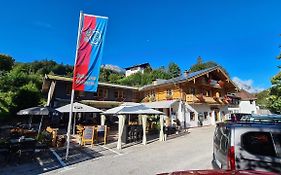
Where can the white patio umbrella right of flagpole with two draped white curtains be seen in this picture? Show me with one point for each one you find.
(131, 108)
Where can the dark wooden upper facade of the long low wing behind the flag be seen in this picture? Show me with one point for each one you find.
(107, 95)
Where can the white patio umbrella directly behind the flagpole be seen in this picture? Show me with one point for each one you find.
(79, 108)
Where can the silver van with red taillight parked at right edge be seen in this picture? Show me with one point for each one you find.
(248, 145)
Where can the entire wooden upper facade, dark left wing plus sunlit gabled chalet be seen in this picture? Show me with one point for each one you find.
(208, 87)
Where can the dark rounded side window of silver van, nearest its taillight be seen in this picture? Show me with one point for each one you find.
(258, 143)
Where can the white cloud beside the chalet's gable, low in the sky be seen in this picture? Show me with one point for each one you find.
(246, 85)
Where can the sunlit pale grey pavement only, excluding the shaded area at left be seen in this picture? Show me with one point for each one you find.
(191, 151)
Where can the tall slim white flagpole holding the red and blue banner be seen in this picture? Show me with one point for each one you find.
(73, 92)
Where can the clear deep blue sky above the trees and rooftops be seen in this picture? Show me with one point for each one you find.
(242, 36)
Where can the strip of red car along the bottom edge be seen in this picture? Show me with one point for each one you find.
(219, 172)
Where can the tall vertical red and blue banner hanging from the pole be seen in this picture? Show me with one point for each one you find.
(89, 54)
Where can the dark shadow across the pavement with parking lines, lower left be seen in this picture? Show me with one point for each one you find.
(46, 161)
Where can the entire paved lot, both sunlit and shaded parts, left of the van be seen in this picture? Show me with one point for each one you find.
(188, 151)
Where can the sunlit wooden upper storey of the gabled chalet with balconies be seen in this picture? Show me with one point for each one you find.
(209, 87)
